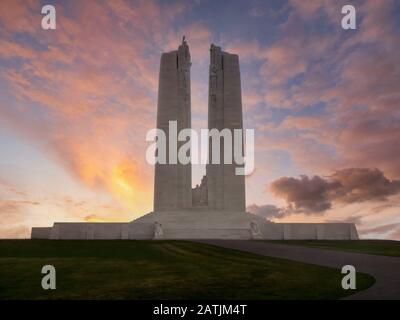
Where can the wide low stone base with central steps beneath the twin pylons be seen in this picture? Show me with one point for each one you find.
(198, 223)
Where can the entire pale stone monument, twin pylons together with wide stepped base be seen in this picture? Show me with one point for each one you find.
(216, 208)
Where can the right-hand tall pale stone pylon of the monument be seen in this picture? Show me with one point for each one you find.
(226, 190)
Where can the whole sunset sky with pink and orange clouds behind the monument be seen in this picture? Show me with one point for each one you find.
(76, 104)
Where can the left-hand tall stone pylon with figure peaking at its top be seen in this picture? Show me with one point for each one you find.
(173, 182)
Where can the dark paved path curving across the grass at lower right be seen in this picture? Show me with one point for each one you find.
(386, 270)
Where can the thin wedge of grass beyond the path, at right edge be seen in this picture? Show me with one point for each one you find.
(378, 247)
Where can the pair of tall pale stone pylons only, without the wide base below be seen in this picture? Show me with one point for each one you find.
(223, 189)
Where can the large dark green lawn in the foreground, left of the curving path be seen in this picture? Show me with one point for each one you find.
(160, 270)
